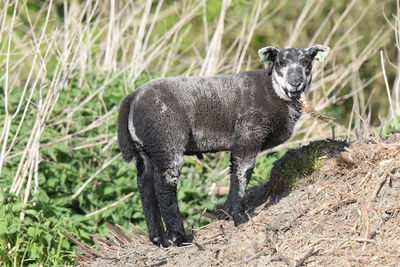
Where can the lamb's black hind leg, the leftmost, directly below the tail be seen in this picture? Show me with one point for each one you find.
(151, 210)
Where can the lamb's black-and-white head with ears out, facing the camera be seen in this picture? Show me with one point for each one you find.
(291, 68)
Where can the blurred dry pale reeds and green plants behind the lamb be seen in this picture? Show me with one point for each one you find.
(66, 65)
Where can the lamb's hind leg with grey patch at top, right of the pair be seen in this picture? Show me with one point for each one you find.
(166, 178)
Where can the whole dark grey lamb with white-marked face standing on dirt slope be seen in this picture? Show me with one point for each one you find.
(243, 113)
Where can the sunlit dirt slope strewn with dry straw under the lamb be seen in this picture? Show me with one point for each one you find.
(346, 213)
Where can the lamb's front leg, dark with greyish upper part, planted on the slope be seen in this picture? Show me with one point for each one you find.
(241, 169)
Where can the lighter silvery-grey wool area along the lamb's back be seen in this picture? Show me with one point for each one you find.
(204, 100)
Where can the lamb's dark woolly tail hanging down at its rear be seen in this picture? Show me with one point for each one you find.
(124, 137)
